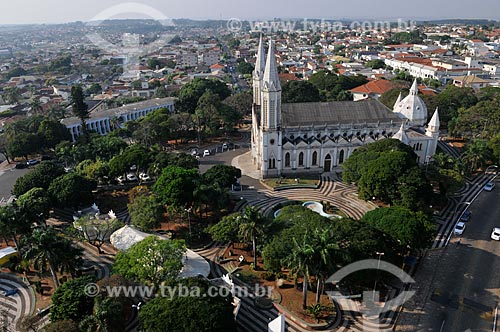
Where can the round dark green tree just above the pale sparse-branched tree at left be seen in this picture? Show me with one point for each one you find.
(71, 190)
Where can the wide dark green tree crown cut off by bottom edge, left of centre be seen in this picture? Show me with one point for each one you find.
(192, 313)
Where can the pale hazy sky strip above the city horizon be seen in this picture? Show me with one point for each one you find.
(56, 11)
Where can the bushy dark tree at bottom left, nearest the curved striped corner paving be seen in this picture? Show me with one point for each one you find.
(70, 302)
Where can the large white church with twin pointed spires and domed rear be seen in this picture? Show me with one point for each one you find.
(304, 138)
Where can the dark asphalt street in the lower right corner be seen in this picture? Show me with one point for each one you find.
(460, 284)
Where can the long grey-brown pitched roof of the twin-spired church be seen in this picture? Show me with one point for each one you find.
(336, 112)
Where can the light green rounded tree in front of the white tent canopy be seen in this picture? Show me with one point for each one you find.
(151, 260)
